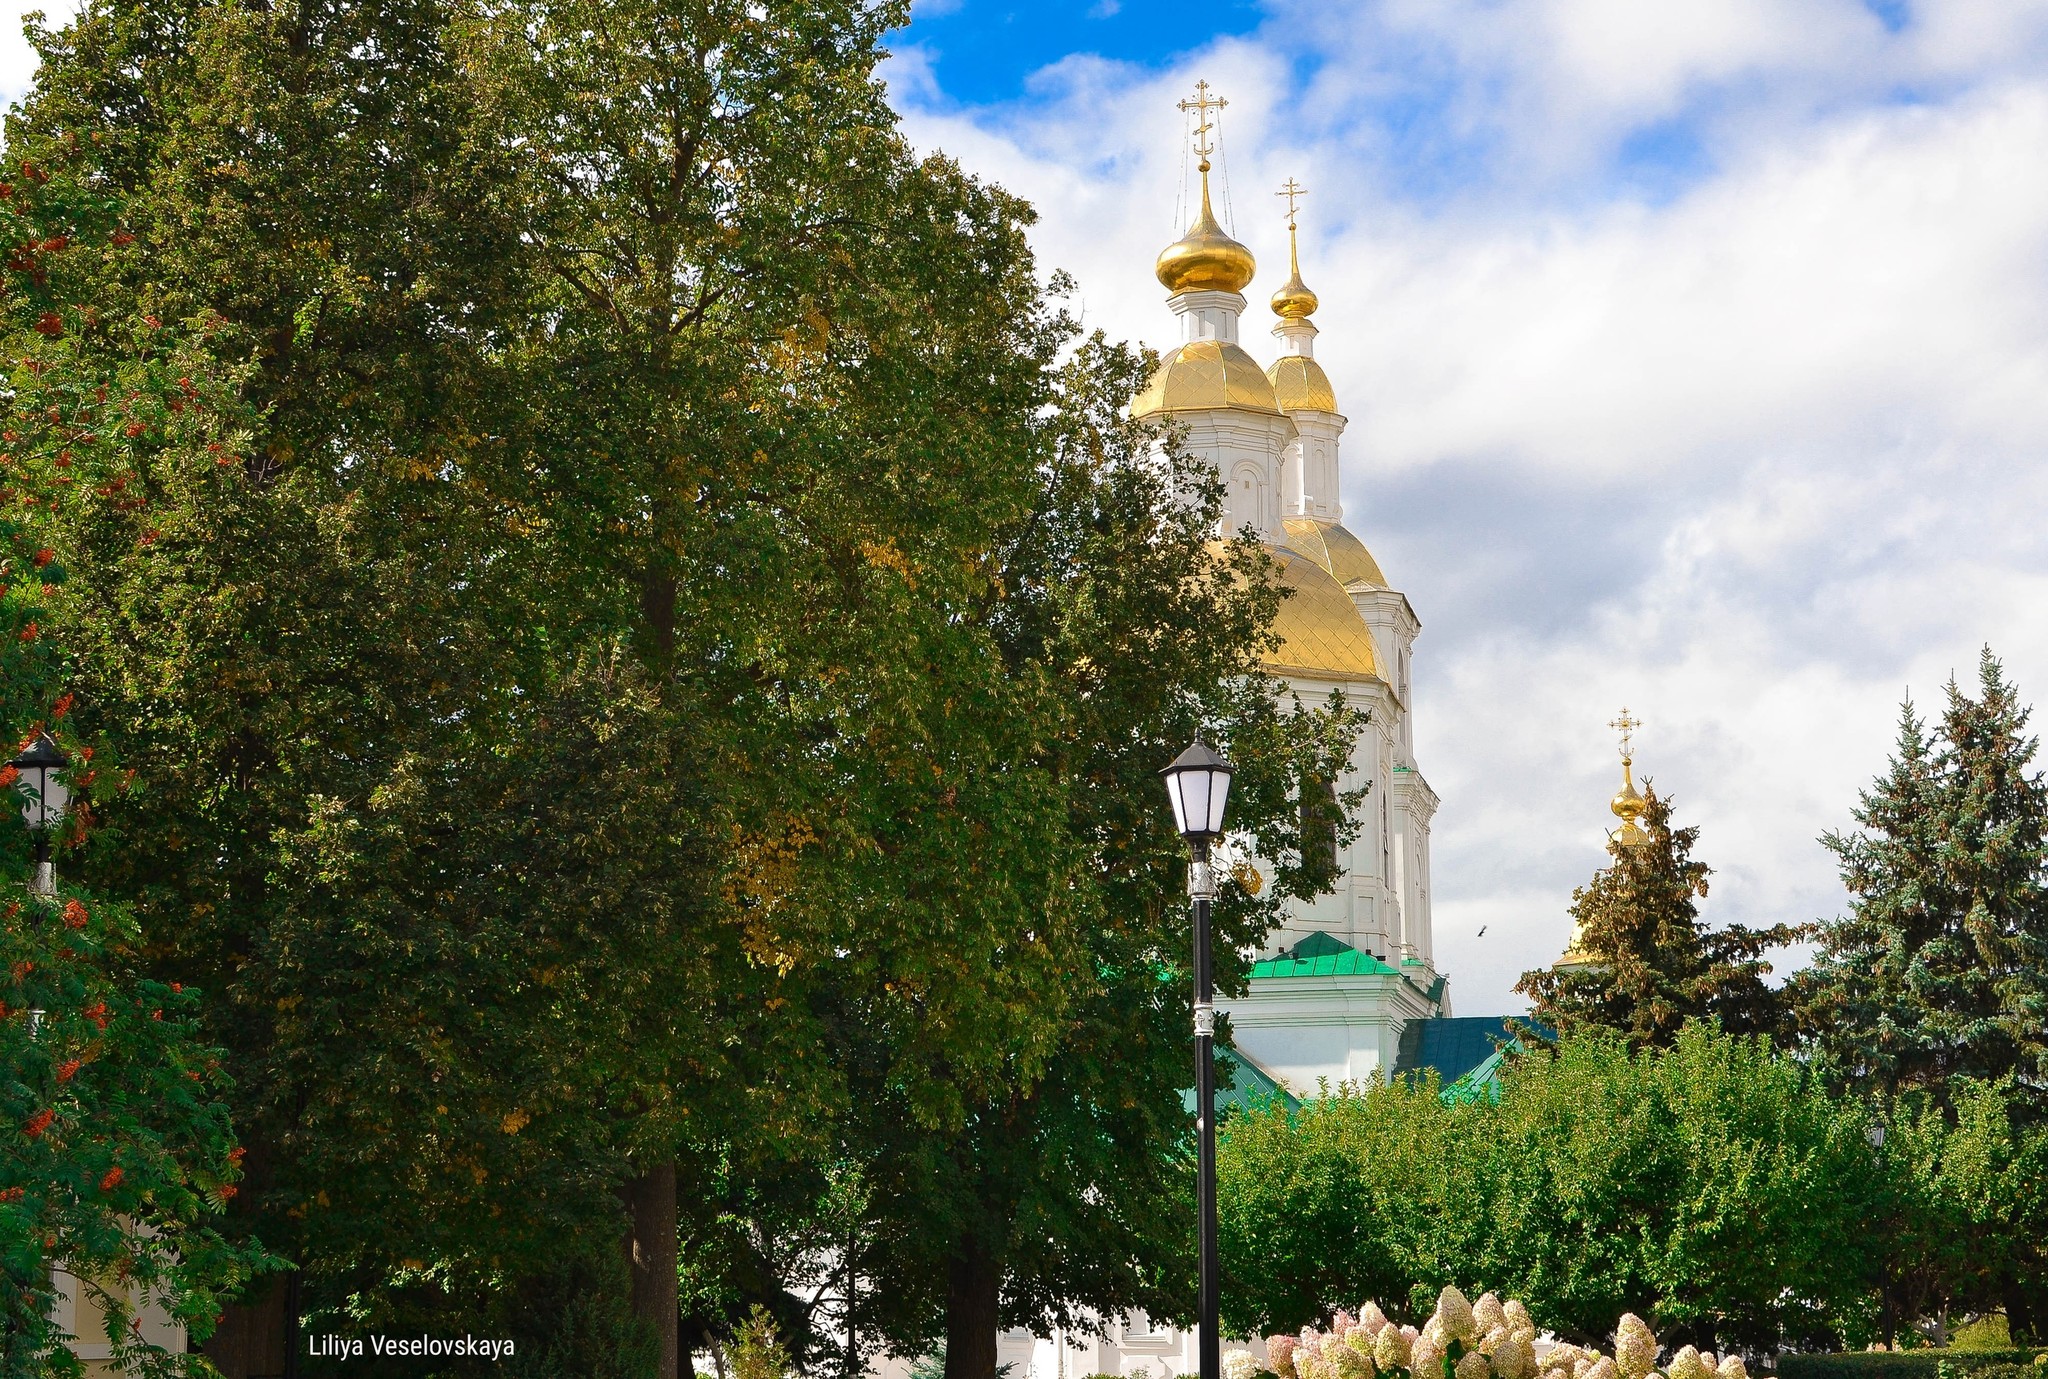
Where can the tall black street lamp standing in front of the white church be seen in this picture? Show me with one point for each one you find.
(1199, 784)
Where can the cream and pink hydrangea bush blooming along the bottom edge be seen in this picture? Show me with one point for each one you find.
(1484, 1339)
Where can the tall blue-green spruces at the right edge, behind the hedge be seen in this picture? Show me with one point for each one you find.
(1940, 970)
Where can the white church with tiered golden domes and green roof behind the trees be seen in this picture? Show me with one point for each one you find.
(1349, 987)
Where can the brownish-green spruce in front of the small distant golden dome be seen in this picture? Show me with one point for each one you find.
(1654, 962)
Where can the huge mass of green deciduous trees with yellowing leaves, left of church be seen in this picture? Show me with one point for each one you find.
(673, 663)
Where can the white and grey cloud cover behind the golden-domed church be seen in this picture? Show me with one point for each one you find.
(1754, 458)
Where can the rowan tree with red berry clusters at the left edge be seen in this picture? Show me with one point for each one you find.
(118, 1157)
